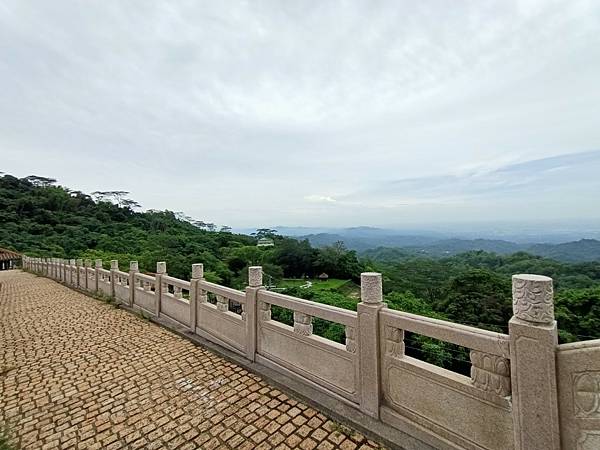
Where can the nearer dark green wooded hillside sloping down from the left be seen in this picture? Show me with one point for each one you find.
(42, 219)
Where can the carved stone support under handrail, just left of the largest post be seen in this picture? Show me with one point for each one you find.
(490, 373)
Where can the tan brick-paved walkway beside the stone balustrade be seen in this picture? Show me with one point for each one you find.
(79, 373)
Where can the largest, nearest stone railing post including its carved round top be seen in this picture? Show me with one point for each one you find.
(533, 342)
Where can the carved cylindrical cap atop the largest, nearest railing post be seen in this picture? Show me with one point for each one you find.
(533, 298)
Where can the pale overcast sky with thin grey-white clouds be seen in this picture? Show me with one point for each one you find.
(310, 113)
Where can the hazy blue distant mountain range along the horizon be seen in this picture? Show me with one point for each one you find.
(362, 240)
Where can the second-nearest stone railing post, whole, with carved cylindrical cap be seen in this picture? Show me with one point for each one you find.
(371, 295)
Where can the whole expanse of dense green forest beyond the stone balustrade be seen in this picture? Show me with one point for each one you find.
(40, 218)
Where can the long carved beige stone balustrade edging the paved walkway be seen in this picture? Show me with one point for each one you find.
(525, 392)
